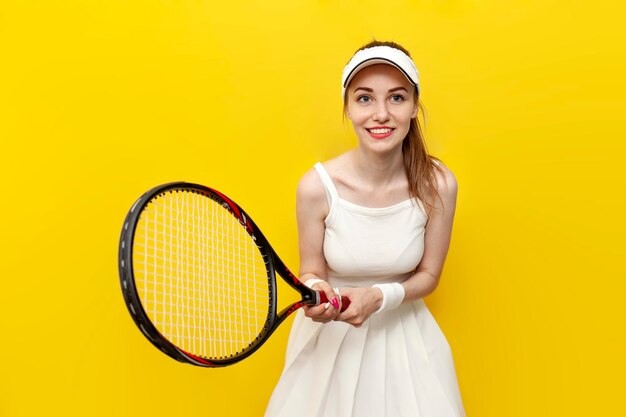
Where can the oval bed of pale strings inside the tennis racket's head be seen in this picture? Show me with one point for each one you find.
(199, 274)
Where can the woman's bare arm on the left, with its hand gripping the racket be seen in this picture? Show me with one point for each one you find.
(311, 210)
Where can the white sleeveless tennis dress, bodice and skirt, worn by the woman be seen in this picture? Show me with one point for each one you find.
(398, 363)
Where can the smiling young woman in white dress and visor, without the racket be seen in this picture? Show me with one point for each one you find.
(374, 226)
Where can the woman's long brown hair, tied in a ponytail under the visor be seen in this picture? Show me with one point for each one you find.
(419, 165)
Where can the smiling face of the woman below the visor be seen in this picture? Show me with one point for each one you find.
(380, 104)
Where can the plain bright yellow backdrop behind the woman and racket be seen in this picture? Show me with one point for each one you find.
(101, 100)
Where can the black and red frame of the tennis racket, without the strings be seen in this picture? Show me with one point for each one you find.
(273, 264)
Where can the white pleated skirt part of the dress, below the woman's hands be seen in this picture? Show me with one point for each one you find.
(398, 363)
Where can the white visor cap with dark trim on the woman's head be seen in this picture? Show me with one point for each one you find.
(379, 55)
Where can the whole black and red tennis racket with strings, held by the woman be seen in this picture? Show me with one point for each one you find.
(199, 277)
